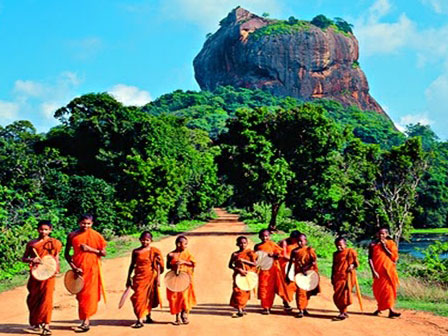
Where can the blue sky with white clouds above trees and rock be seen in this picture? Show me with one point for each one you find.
(54, 51)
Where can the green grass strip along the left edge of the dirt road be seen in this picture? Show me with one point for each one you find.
(116, 247)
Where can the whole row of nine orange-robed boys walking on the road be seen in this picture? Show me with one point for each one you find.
(147, 265)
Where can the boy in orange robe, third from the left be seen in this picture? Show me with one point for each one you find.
(147, 265)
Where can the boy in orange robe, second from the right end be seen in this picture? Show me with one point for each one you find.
(343, 276)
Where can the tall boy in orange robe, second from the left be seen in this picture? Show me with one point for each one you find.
(88, 248)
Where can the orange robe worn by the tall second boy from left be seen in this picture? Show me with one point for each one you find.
(89, 262)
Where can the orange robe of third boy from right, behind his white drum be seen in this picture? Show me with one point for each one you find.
(304, 256)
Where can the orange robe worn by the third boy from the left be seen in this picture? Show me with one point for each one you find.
(144, 283)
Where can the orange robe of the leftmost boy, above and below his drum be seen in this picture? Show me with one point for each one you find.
(40, 297)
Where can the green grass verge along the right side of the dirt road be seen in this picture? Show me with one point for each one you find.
(414, 293)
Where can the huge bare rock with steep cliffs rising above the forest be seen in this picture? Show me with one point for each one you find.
(304, 61)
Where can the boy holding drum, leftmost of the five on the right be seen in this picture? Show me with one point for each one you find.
(243, 264)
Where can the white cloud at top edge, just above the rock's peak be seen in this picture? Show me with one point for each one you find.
(208, 13)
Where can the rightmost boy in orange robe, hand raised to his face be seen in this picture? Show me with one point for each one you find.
(383, 254)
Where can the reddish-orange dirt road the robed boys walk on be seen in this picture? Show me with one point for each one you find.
(211, 245)
